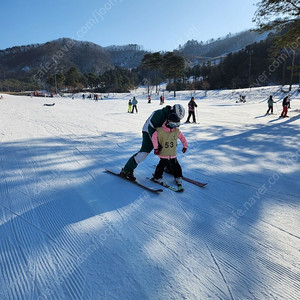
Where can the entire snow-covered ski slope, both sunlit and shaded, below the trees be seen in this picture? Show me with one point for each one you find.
(70, 230)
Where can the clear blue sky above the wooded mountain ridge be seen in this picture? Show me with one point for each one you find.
(154, 24)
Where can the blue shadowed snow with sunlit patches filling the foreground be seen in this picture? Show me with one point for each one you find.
(77, 230)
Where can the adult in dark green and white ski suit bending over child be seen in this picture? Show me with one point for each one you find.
(155, 120)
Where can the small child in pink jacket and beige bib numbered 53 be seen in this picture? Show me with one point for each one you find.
(164, 141)
